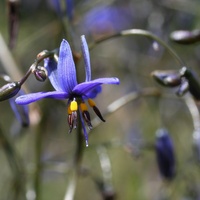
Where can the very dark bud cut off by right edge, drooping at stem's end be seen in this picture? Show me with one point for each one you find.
(193, 81)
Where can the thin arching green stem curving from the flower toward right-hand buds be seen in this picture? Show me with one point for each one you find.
(141, 32)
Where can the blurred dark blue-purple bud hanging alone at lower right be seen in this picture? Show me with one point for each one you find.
(165, 154)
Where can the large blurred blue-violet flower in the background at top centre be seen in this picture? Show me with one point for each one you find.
(107, 19)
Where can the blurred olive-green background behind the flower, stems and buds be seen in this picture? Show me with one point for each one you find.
(135, 173)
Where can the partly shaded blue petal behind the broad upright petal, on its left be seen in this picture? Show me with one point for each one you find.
(51, 65)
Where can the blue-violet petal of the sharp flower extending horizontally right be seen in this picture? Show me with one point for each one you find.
(85, 87)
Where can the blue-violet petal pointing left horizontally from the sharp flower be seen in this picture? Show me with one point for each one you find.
(29, 98)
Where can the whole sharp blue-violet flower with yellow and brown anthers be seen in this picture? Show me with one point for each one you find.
(63, 78)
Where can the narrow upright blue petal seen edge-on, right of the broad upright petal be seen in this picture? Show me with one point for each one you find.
(86, 57)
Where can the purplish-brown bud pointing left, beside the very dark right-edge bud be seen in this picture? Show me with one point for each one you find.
(169, 78)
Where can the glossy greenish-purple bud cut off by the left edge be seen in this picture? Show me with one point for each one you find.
(9, 90)
